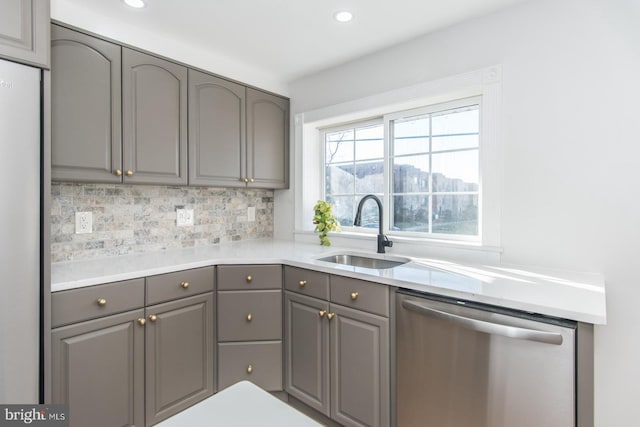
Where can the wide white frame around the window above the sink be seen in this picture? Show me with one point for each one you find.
(485, 83)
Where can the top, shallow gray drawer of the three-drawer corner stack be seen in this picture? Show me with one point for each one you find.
(236, 277)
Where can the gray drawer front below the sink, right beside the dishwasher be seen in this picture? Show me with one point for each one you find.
(360, 294)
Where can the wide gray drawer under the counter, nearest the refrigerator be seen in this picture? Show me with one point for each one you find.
(96, 301)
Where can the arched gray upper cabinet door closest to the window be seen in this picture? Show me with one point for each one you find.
(267, 140)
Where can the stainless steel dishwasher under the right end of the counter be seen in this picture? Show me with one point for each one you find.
(463, 364)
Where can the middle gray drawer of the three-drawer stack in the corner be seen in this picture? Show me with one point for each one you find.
(249, 315)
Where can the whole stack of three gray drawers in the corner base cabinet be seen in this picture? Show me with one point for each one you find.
(250, 325)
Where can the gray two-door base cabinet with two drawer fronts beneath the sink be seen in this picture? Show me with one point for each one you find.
(337, 351)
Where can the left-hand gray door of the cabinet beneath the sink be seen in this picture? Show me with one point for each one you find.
(307, 350)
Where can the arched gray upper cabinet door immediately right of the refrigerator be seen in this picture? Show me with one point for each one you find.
(86, 114)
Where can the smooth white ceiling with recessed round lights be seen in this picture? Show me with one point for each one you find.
(279, 40)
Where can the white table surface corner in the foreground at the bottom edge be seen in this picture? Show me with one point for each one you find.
(241, 405)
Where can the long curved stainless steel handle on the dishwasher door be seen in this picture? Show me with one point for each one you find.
(486, 327)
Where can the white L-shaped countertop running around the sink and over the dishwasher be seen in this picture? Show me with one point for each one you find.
(568, 295)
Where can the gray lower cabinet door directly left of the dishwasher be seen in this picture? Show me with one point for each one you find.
(359, 368)
